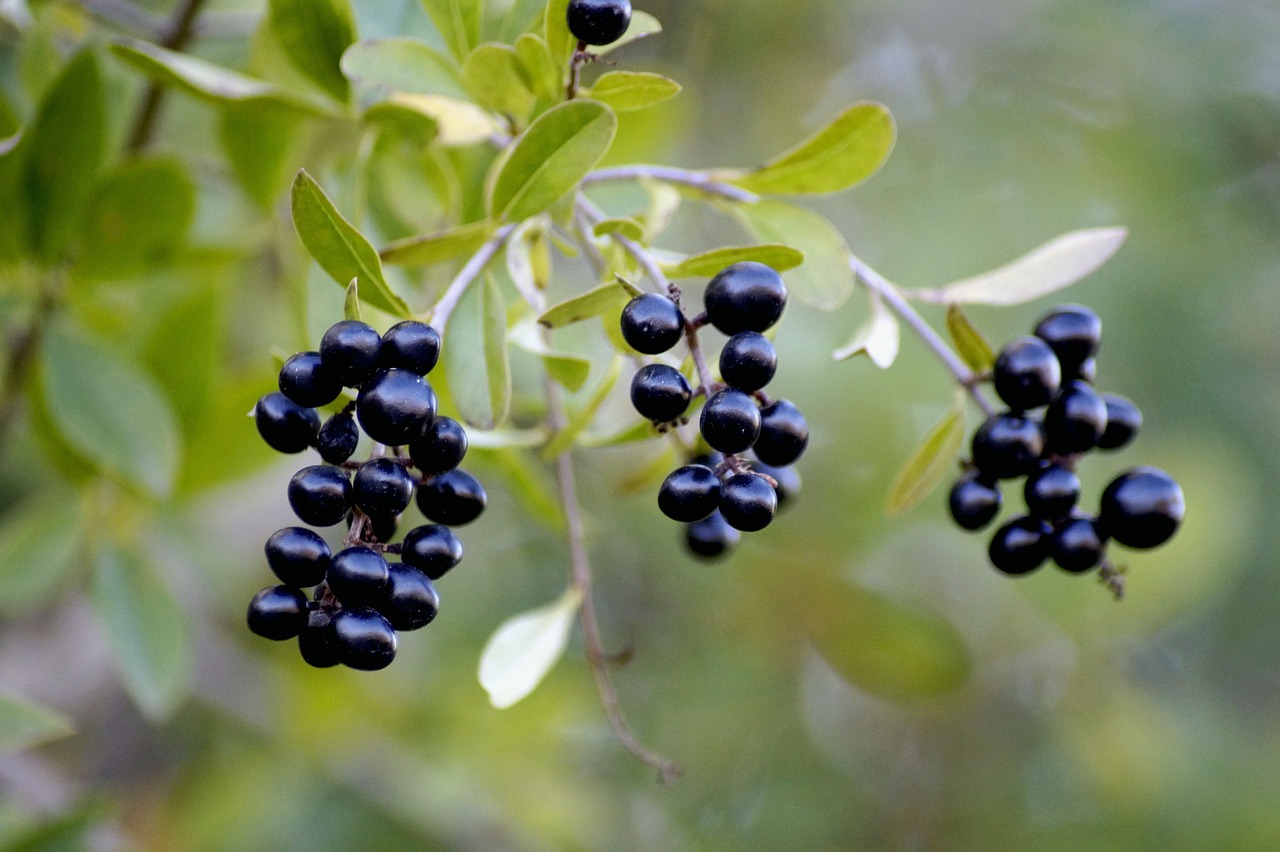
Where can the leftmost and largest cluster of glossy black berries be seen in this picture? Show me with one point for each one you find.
(360, 599)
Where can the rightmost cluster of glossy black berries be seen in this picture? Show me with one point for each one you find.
(1054, 419)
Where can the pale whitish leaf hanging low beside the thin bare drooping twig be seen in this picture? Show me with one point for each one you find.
(527, 648)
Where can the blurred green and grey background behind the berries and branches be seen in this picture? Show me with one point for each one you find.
(1068, 720)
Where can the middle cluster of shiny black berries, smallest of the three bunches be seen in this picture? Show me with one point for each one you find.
(723, 494)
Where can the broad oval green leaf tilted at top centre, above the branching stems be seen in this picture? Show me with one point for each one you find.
(550, 159)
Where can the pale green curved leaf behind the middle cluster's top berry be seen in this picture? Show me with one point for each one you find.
(826, 278)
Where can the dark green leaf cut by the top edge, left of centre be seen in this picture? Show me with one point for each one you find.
(314, 35)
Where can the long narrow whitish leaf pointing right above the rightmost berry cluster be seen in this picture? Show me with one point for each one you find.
(1058, 264)
